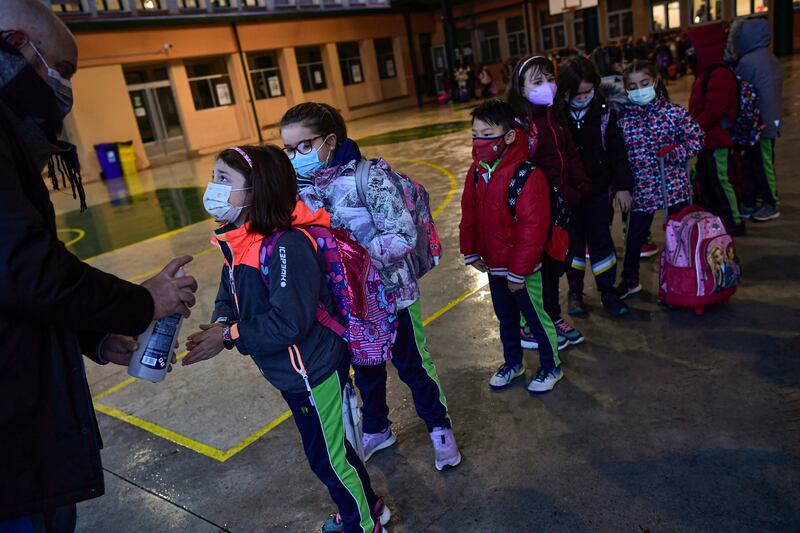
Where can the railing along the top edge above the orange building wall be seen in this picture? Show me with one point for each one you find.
(103, 9)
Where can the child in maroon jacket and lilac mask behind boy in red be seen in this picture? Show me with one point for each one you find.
(531, 94)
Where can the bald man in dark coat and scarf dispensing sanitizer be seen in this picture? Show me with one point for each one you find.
(53, 307)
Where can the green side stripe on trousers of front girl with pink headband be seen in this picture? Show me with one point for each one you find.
(328, 400)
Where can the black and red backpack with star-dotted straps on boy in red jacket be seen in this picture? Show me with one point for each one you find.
(558, 237)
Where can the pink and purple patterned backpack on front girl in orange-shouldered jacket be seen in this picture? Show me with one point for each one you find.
(366, 314)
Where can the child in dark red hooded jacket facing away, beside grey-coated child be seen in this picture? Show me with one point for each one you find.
(713, 104)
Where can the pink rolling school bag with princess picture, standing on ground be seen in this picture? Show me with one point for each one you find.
(699, 266)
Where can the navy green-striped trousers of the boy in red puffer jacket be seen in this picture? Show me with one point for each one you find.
(529, 303)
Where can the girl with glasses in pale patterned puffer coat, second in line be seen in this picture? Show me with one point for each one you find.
(325, 159)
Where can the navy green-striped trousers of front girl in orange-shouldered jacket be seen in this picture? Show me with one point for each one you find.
(329, 454)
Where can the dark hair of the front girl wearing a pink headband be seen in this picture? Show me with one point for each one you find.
(274, 187)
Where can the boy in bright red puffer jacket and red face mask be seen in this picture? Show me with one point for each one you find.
(505, 225)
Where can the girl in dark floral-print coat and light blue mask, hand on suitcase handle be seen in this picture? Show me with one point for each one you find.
(656, 132)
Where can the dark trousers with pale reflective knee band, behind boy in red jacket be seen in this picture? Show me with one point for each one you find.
(591, 228)
